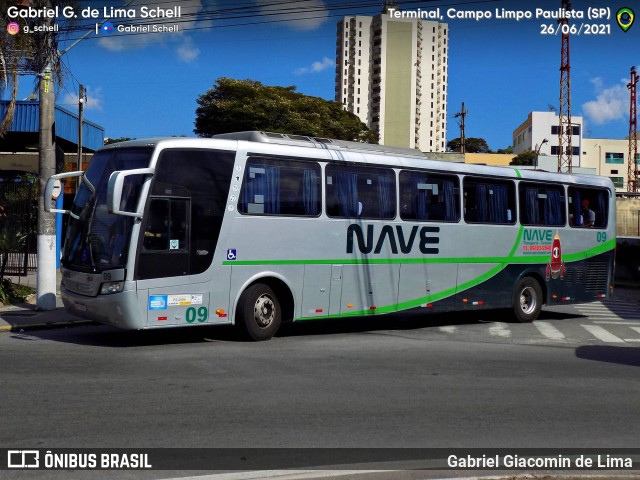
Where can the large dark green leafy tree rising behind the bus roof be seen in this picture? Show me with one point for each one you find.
(239, 105)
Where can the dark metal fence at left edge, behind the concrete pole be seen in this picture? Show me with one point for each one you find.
(18, 224)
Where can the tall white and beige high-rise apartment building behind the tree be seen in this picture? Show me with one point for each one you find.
(391, 71)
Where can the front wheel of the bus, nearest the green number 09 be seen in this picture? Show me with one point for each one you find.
(259, 314)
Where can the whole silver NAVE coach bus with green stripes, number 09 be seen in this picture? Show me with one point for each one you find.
(260, 228)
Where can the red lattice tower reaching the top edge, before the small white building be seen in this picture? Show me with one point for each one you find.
(565, 130)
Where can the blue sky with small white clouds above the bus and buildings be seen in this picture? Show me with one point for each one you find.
(145, 85)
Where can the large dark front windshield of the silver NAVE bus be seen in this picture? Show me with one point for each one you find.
(96, 241)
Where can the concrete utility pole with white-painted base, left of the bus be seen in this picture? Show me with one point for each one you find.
(46, 242)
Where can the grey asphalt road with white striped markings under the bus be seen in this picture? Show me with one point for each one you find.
(450, 381)
